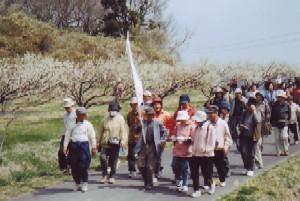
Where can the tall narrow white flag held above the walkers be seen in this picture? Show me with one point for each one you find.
(137, 81)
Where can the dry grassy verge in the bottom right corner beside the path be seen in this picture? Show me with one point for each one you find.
(281, 183)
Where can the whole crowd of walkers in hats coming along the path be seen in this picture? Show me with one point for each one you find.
(201, 139)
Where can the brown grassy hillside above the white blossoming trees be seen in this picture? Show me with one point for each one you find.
(20, 34)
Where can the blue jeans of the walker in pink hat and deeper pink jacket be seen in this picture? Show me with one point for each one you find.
(180, 166)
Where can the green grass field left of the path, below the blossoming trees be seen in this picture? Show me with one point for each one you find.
(30, 153)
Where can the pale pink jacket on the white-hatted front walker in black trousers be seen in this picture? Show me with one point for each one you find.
(204, 140)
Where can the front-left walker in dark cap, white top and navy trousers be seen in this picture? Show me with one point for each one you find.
(77, 146)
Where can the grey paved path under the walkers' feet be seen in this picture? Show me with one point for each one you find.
(127, 189)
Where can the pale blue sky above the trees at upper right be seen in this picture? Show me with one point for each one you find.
(224, 31)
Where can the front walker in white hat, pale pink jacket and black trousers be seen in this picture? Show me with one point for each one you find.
(204, 142)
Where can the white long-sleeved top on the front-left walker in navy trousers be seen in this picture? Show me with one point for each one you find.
(81, 132)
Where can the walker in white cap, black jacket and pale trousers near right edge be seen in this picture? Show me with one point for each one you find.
(280, 116)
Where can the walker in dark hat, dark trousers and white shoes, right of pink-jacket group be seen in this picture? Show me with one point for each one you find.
(248, 139)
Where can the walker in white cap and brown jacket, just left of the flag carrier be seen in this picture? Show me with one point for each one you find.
(135, 129)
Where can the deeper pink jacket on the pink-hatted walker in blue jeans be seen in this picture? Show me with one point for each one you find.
(181, 147)
